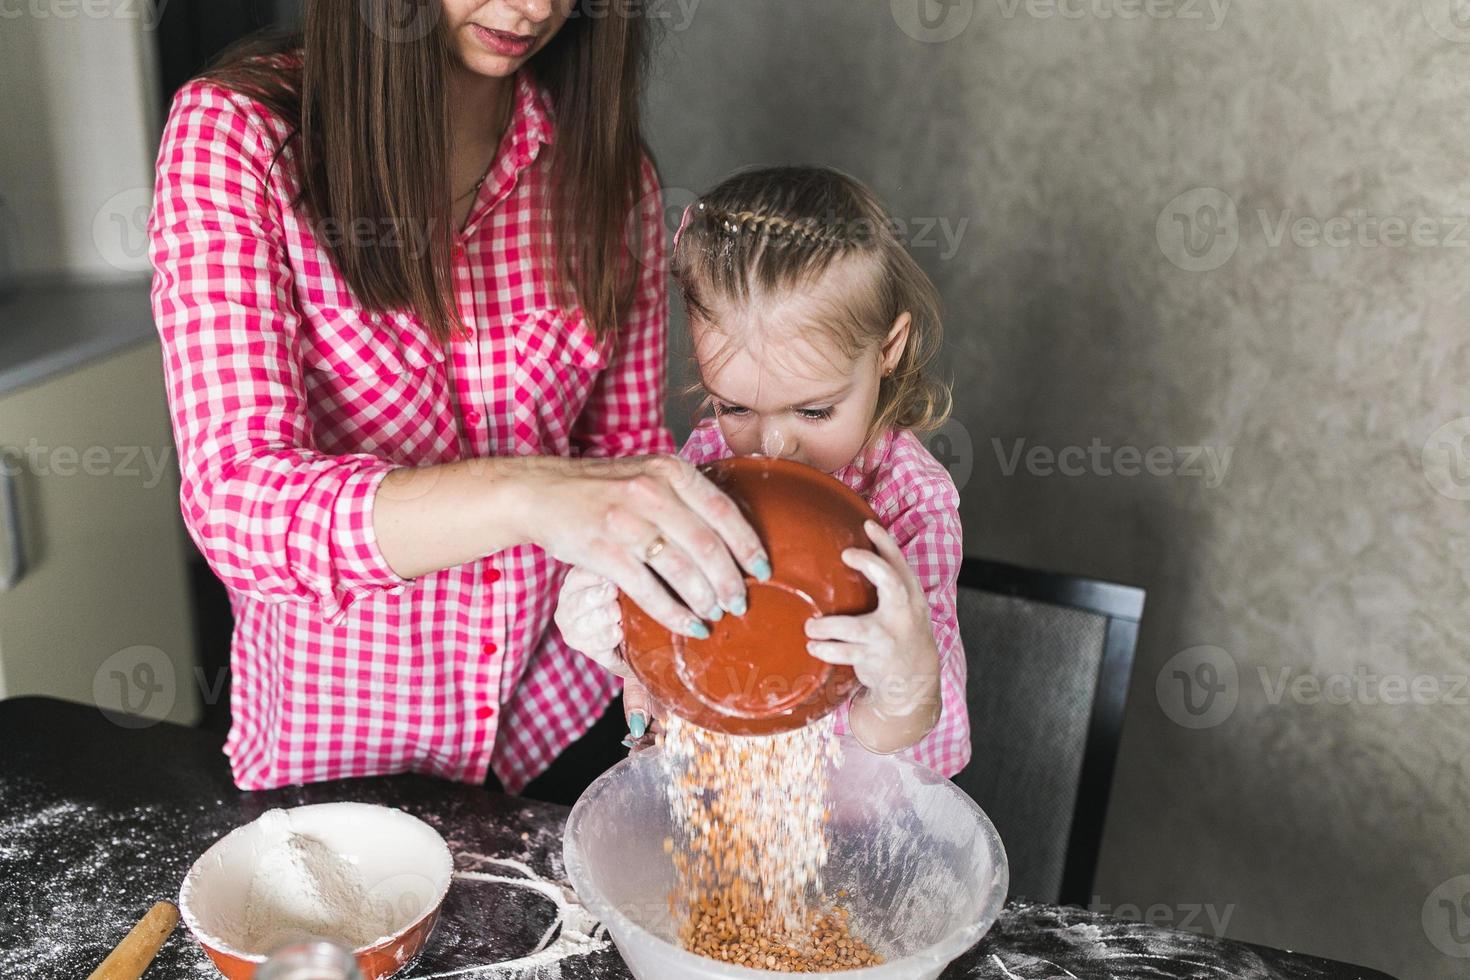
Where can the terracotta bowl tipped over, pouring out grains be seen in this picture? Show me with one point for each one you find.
(753, 675)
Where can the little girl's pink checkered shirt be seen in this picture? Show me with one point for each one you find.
(918, 503)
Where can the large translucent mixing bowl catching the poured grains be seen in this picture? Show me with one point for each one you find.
(922, 865)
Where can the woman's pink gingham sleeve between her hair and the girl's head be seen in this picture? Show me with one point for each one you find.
(624, 417)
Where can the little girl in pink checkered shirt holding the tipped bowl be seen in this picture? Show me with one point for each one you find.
(814, 330)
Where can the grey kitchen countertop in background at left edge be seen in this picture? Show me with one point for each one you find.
(48, 330)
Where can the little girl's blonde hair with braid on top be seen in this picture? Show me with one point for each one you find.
(775, 230)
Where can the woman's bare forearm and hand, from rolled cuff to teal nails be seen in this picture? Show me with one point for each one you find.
(630, 521)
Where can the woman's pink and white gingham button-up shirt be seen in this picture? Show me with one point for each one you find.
(292, 403)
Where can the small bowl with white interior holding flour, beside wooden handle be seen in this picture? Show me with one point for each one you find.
(404, 863)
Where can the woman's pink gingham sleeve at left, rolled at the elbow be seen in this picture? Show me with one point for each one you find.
(274, 518)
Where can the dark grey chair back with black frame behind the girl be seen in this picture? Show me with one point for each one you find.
(1050, 659)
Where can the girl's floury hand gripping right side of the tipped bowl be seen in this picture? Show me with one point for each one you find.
(892, 649)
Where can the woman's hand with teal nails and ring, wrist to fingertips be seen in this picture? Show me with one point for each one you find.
(633, 518)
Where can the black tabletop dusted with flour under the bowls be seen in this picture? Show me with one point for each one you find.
(101, 819)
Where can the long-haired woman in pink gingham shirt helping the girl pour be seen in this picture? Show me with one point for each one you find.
(411, 289)
